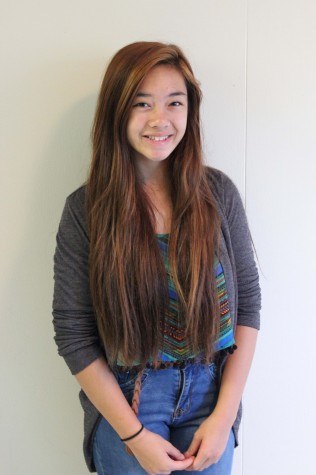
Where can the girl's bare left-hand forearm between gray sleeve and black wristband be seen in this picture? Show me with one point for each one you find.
(101, 387)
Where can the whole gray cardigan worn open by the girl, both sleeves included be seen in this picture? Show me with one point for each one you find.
(74, 320)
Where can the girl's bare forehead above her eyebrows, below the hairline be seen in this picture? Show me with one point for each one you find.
(163, 78)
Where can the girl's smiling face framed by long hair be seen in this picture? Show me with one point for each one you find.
(158, 118)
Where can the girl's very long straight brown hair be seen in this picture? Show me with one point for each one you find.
(127, 273)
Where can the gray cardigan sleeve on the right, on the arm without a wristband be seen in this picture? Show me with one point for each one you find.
(241, 250)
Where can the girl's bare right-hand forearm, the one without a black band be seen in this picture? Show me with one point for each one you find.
(235, 374)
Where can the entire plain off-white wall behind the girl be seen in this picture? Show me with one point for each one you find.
(256, 63)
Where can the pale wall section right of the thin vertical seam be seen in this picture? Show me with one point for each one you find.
(281, 199)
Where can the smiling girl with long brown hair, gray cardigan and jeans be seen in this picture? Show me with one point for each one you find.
(155, 279)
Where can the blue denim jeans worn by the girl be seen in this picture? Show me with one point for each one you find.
(173, 403)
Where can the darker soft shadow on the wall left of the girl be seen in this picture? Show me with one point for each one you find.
(63, 167)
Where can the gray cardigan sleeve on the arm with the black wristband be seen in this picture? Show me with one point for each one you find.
(74, 321)
